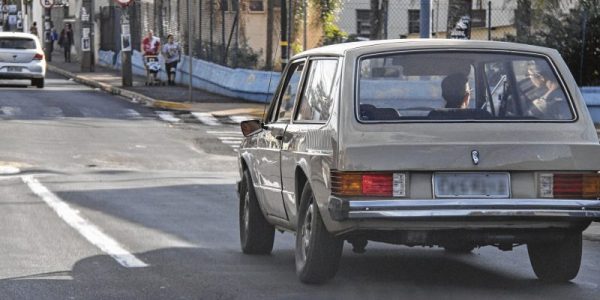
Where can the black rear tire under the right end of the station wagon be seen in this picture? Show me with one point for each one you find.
(556, 261)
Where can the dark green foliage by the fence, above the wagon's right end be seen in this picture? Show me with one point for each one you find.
(564, 32)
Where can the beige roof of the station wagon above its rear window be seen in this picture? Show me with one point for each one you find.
(400, 44)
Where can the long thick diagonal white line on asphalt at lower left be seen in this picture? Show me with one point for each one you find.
(88, 230)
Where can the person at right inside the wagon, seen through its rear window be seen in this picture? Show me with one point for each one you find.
(552, 104)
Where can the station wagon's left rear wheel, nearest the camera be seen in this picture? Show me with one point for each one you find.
(318, 252)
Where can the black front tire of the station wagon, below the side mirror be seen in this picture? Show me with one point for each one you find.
(256, 234)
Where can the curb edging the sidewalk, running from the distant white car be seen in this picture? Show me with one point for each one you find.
(132, 96)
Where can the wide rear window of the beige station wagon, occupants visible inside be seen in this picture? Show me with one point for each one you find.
(474, 86)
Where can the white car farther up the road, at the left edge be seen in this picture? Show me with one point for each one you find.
(22, 57)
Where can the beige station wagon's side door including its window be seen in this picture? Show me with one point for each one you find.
(268, 158)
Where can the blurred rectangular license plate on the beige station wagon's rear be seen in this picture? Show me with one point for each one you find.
(471, 185)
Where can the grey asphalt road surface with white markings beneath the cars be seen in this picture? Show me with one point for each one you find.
(100, 199)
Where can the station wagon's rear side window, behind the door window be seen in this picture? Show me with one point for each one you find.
(315, 101)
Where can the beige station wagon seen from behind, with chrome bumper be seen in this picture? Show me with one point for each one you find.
(456, 144)
